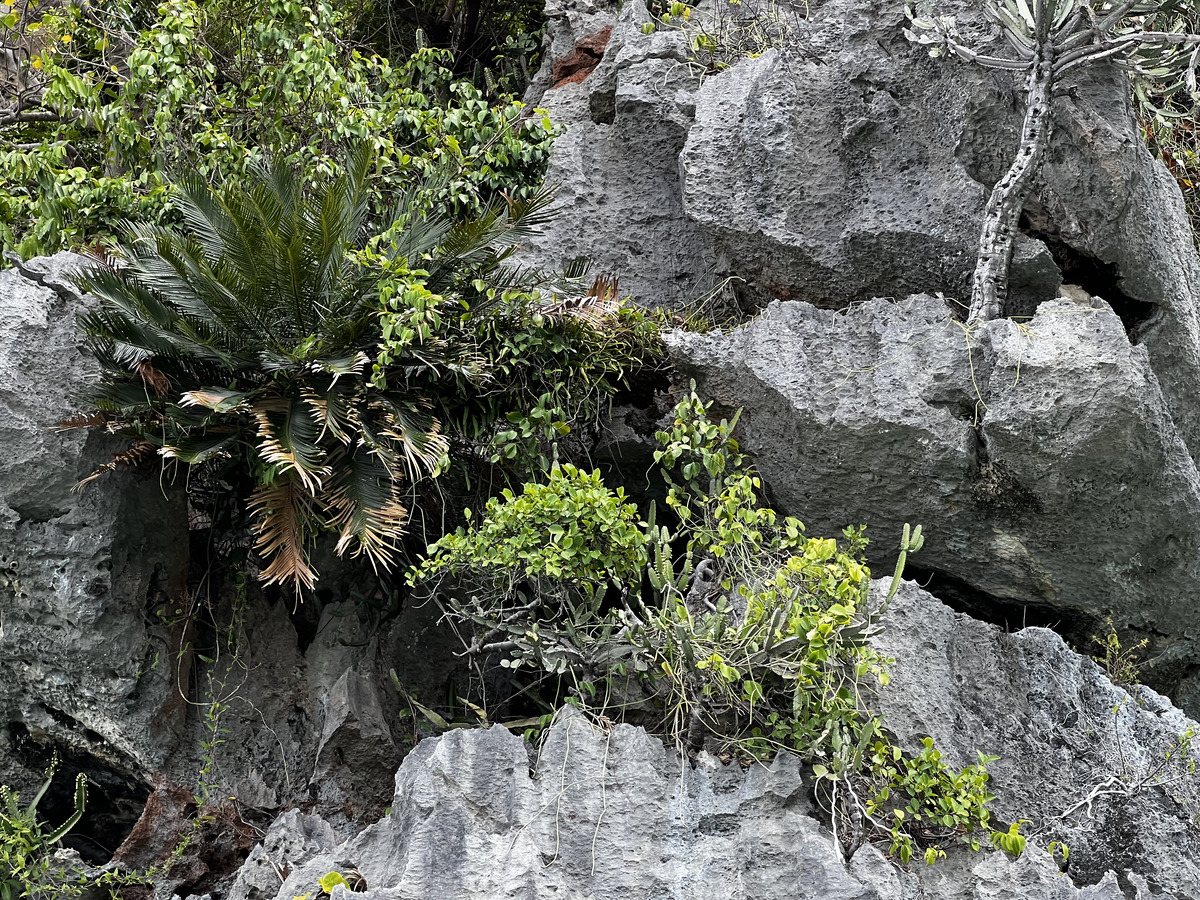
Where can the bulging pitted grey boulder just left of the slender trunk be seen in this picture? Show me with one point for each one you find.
(832, 178)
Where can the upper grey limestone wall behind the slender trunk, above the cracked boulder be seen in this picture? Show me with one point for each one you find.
(849, 165)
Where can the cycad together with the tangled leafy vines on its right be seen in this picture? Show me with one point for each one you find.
(275, 334)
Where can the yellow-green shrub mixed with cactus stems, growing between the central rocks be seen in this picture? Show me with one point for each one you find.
(739, 629)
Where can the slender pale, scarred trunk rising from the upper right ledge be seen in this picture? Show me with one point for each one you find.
(989, 289)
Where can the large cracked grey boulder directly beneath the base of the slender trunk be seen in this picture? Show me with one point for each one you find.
(1042, 461)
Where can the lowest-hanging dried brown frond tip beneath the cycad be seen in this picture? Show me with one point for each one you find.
(285, 523)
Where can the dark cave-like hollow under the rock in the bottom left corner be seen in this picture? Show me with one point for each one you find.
(116, 797)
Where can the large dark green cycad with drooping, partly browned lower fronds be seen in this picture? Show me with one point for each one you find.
(253, 331)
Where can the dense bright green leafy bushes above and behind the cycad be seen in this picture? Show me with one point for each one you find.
(110, 99)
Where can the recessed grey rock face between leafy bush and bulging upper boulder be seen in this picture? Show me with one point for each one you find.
(620, 200)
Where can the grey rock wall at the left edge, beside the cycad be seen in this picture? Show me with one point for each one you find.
(80, 572)
